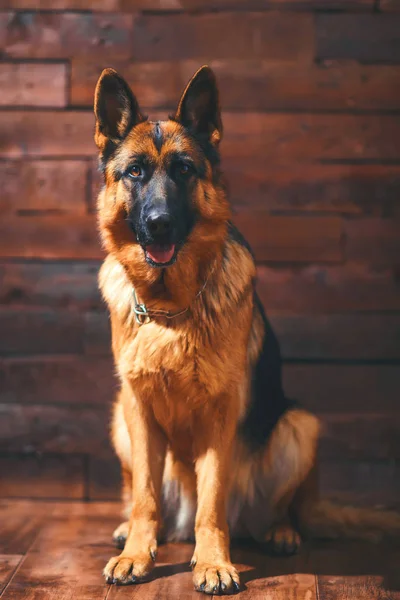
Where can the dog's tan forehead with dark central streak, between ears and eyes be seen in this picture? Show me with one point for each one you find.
(158, 139)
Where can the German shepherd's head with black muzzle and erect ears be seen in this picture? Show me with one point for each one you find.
(162, 187)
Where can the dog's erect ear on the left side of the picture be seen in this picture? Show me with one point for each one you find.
(115, 107)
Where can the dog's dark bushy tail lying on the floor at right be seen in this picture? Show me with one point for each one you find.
(329, 520)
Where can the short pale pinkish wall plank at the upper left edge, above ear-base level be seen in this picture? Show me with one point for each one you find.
(31, 84)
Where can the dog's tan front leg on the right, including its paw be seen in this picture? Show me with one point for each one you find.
(213, 572)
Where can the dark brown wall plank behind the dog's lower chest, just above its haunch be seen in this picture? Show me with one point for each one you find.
(78, 381)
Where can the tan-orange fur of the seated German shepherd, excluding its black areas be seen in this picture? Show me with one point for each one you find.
(185, 382)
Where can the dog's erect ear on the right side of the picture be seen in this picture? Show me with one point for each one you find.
(198, 108)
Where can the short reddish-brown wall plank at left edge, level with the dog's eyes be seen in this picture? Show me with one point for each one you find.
(44, 185)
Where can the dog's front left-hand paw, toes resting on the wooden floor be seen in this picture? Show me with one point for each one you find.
(124, 570)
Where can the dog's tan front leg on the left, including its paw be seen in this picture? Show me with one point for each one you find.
(148, 448)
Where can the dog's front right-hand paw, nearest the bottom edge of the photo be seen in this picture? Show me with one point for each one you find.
(215, 579)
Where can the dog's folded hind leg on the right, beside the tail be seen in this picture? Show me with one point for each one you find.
(275, 485)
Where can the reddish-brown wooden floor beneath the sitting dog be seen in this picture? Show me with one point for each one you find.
(56, 551)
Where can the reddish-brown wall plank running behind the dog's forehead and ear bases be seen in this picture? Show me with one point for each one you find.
(275, 138)
